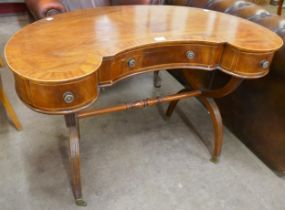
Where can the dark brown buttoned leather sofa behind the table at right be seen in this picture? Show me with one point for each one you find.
(257, 106)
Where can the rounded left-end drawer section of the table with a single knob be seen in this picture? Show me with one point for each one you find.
(58, 98)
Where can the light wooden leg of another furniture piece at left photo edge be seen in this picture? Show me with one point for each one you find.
(9, 109)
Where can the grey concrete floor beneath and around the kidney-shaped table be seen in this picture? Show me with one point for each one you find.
(135, 160)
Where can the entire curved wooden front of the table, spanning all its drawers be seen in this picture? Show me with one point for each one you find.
(74, 95)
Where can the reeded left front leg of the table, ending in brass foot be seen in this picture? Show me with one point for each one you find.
(74, 158)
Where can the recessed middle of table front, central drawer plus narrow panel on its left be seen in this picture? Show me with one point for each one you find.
(159, 56)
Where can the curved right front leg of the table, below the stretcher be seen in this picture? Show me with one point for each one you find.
(213, 109)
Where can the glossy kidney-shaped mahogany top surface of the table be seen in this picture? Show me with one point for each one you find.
(72, 45)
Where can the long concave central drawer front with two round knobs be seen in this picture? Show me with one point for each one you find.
(163, 57)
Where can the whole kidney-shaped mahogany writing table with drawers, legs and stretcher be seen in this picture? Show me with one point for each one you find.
(60, 63)
